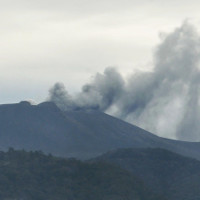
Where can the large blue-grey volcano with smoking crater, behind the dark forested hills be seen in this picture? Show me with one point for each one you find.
(80, 134)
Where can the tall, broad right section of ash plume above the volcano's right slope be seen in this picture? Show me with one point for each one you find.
(163, 100)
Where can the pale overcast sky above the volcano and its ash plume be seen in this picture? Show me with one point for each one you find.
(46, 41)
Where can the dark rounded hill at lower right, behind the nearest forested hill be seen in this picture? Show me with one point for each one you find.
(165, 172)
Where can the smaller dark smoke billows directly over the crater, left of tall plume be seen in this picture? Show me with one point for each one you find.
(100, 94)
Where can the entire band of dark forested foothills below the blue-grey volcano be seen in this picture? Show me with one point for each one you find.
(124, 174)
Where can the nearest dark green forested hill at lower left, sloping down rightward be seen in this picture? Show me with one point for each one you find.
(34, 176)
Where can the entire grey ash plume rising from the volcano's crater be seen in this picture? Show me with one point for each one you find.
(164, 101)
